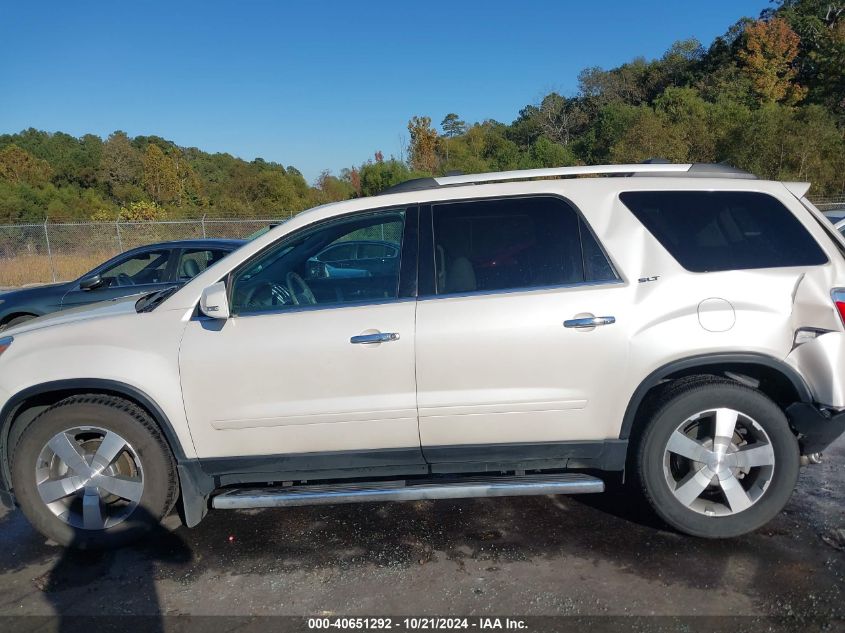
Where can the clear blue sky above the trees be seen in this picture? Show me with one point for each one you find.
(315, 84)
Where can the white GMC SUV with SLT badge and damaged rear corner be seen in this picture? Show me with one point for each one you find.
(487, 335)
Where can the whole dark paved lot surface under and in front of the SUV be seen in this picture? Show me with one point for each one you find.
(587, 555)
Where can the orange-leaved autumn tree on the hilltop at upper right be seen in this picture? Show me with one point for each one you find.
(769, 55)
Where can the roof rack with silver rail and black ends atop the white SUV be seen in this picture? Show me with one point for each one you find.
(652, 168)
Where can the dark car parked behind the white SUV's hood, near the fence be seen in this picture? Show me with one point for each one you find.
(140, 270)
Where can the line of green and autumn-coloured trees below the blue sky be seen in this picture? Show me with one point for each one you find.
(767, 96)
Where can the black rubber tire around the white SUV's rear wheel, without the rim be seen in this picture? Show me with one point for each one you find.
(678, 404)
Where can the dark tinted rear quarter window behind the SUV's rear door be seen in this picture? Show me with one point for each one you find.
(708, 231)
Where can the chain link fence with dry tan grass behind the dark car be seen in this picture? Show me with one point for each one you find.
(45, 253)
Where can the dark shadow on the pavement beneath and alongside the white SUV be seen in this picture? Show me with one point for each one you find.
(786, 568)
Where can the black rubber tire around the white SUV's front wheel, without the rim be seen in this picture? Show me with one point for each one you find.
(160, 484)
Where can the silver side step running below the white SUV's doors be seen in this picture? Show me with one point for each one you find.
(278, 497)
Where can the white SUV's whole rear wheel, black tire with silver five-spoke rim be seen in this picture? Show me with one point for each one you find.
(702, 411)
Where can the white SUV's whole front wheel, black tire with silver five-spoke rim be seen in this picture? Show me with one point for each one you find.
(123, 496)
